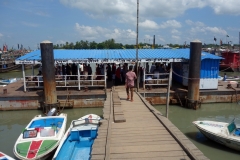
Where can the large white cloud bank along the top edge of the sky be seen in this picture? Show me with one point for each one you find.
(126, 10)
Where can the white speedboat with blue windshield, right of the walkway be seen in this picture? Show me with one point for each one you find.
(221, 132)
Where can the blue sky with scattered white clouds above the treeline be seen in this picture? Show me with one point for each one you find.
(29, 22)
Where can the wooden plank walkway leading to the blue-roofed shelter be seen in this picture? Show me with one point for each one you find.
(136, 130)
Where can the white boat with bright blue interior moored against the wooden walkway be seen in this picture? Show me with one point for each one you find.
(77, 141)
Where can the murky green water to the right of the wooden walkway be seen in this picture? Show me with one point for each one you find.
(182, 118)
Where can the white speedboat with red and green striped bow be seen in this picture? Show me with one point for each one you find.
(41, 136)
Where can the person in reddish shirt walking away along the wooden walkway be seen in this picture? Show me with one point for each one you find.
(129, 82)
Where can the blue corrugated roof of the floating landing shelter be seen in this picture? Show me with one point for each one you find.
(172, 55)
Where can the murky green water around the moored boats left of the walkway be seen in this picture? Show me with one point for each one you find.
(12, 124)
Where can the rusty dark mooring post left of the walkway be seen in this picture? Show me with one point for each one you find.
(48, 72)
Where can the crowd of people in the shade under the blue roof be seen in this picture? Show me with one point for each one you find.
(116, 73)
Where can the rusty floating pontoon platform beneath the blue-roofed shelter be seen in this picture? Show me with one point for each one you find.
(13, 97)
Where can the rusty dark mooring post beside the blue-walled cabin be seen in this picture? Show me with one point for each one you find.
(194, 75)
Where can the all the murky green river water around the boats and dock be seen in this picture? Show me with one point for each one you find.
(13, 122)
